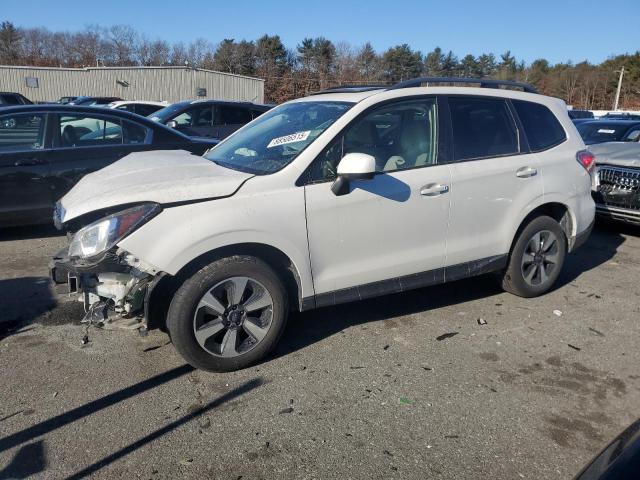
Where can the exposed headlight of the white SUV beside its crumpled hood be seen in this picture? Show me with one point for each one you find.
(103, 234)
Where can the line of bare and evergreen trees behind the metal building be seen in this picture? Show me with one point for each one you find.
(317, 63)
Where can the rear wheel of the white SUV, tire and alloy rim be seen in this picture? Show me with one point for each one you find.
(536, 259)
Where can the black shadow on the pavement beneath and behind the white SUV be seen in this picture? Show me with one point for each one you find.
(307, 328)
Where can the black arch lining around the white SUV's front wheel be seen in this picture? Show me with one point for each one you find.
(159, 298)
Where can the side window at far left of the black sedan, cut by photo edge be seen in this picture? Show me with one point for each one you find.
(21, 132)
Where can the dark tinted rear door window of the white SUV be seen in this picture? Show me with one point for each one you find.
(482, 128)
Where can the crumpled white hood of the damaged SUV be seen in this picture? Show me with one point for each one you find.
(163, 177)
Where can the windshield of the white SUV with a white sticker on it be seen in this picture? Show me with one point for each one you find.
(277, 137)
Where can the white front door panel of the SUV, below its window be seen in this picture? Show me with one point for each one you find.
(383, 228)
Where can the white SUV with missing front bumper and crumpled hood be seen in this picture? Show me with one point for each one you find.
(343, 195)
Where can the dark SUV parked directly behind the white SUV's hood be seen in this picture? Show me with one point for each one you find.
(209, 118)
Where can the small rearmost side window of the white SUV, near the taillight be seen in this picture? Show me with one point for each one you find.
(542, 128)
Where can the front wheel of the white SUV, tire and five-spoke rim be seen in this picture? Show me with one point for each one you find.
(228, 315)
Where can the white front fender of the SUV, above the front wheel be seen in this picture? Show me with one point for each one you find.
(180, 234)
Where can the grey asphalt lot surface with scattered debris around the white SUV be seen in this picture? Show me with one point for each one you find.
(405, 386)
